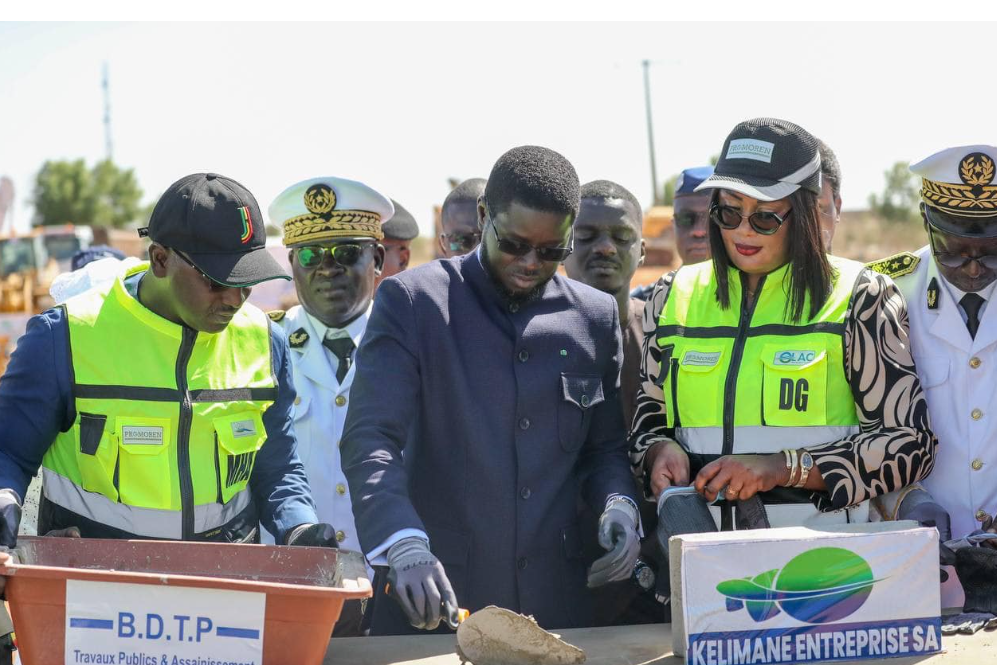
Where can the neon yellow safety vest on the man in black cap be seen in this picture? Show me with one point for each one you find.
(168, 420)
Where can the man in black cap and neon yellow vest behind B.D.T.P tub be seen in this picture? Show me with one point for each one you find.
(159, 406)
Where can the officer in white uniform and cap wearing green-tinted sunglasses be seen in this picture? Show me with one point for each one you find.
(332, 227)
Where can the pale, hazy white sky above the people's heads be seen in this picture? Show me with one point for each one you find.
(405, 106)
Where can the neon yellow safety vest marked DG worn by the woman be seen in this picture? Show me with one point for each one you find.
(746, 380)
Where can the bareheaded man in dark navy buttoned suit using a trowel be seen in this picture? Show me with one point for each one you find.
(500, 381)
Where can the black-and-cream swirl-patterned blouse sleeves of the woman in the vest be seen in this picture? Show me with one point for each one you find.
(894, 446)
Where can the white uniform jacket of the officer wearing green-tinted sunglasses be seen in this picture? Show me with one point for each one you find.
(319, 415)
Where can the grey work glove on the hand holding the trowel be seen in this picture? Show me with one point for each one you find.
(417, 581)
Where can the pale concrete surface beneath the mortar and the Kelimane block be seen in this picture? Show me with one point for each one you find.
(623, 645)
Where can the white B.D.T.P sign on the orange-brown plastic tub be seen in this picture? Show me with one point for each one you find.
(141, 624)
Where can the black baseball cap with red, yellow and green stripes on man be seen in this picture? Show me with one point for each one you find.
(217, 224)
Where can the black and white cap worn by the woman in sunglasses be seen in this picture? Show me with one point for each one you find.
(767, 159)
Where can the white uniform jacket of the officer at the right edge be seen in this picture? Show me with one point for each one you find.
(958, 374)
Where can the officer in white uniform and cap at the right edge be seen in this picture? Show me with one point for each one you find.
(948, 285)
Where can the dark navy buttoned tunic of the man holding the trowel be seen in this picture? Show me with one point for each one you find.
(505, 413)
